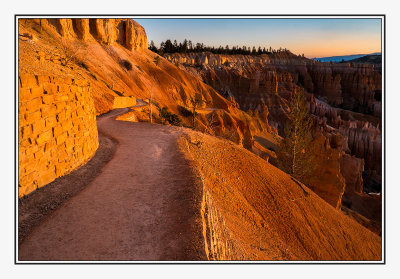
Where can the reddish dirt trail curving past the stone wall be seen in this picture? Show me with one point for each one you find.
(142, 206)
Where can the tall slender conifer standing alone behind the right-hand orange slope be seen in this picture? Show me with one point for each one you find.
(295, 156)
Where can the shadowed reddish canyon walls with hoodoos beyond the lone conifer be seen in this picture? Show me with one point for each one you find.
(345, 100)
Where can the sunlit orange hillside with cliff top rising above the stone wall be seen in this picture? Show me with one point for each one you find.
(112, 55)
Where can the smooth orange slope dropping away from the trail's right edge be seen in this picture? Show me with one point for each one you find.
(253, 211)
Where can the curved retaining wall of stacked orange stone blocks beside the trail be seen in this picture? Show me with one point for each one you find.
(57, 129)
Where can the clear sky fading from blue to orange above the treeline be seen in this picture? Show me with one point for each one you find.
(311, 37)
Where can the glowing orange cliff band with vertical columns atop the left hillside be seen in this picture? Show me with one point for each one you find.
(107, 31)
